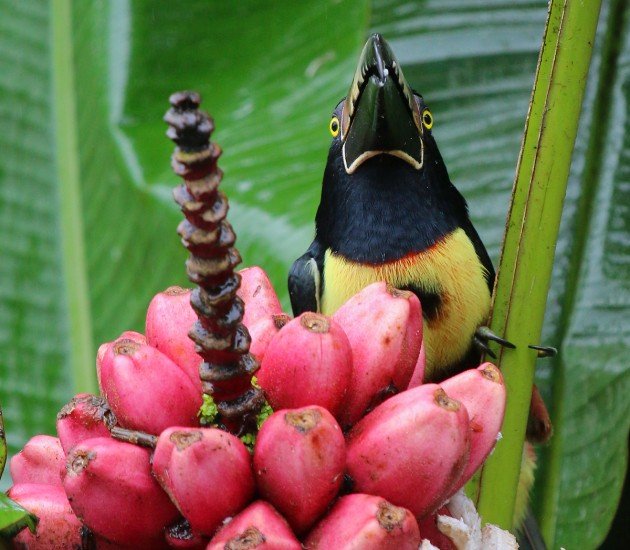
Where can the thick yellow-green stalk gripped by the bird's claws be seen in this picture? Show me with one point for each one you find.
(531, 232)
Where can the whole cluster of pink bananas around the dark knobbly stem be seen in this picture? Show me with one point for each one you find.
(359, 453)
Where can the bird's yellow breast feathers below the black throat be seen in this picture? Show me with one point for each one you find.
(451, 269)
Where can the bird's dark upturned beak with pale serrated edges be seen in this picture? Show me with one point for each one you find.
(380, 114)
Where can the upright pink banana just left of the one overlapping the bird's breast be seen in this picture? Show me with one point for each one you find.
(308, 362)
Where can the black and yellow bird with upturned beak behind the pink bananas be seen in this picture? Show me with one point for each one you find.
(389, 211)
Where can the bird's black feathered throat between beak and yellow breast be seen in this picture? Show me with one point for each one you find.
(385, 211)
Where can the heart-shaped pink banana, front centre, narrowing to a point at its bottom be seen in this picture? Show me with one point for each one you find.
(299, 461)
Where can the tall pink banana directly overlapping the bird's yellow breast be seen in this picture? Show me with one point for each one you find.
(384, 328)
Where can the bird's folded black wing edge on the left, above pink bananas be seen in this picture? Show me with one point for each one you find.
(306, 280)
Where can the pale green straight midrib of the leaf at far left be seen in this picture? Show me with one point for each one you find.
(81, 350)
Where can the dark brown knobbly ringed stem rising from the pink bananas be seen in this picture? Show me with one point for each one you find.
(220, 337)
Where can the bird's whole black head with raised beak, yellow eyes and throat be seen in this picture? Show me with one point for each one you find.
(385, 191)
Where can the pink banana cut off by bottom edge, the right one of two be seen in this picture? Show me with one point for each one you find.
(365, 522)
